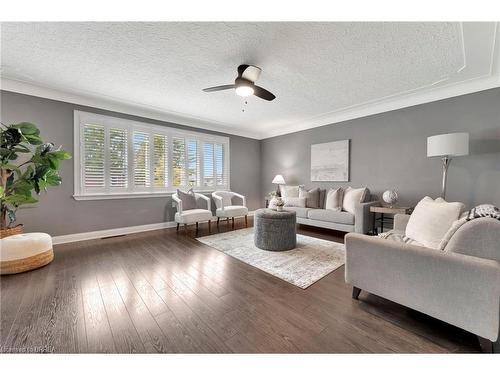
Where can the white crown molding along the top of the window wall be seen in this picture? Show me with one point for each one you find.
(115, 105)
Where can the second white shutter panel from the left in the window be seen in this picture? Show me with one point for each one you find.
(118, 158)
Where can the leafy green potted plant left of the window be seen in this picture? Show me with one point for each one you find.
(27, 164)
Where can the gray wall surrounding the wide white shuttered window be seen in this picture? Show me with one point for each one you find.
(58, 213)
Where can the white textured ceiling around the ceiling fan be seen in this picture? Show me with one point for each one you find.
(316, 70)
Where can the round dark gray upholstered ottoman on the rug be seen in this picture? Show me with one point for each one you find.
(275, 230)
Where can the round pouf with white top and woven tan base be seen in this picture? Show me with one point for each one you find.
(24, 252)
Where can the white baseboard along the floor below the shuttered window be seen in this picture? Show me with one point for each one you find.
(75, 237)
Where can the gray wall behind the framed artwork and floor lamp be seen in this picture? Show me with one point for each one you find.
(388, 151)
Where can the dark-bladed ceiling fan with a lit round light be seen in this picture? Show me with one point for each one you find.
(244, 84)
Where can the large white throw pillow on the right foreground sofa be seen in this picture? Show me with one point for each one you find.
(431, 219)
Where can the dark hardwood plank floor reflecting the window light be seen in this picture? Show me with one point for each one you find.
(164, 291)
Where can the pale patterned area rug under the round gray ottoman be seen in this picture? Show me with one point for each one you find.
(311, 260)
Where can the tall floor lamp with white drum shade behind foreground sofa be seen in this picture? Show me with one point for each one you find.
(447, 146)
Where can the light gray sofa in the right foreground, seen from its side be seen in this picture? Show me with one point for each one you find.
(460, 285)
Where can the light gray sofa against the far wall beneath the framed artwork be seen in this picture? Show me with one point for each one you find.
(360, 222)
